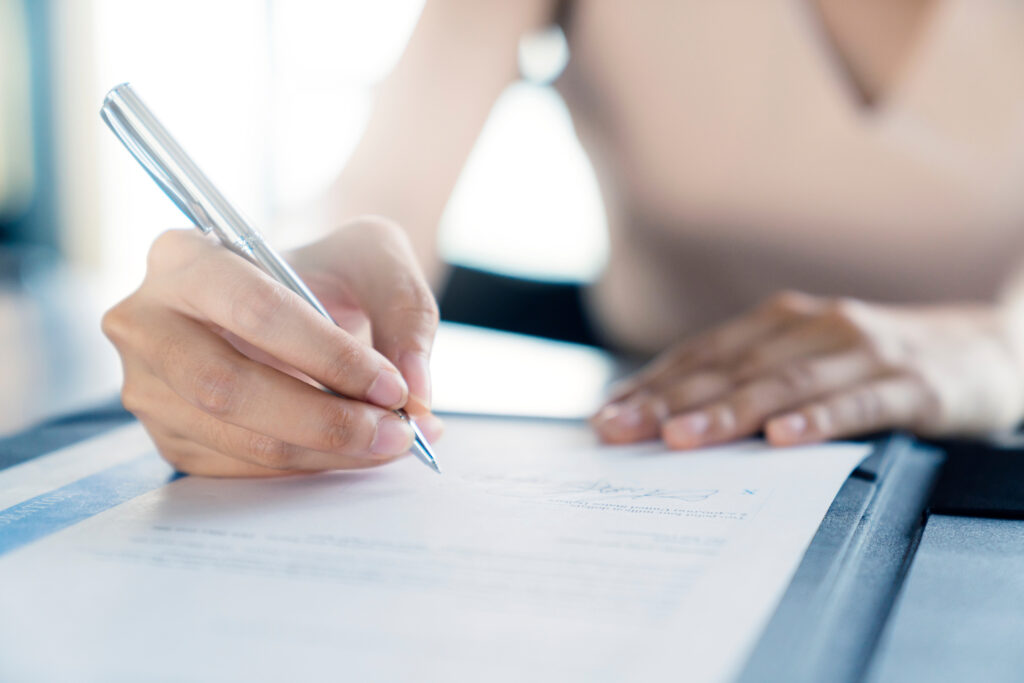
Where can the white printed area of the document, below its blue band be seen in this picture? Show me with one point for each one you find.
(538, 557)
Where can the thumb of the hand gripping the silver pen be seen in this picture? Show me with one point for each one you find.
(383, 274)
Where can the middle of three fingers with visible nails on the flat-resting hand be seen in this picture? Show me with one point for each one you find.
(745, 411)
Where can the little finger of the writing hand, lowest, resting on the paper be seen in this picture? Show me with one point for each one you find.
(198, 444)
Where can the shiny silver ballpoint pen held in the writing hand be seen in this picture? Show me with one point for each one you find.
(189, 188)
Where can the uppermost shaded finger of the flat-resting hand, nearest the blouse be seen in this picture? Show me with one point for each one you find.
(723, 345)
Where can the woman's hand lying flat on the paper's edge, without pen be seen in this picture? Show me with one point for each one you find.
(804, 369)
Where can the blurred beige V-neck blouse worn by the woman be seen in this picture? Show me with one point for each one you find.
(760, 169)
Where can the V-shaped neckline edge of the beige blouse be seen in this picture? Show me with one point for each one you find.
(854, 84)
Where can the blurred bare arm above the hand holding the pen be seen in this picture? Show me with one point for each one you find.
(429, 114)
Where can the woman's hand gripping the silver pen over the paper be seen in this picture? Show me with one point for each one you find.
(219, 358)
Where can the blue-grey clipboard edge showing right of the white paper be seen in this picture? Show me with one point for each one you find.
(831, 620)
